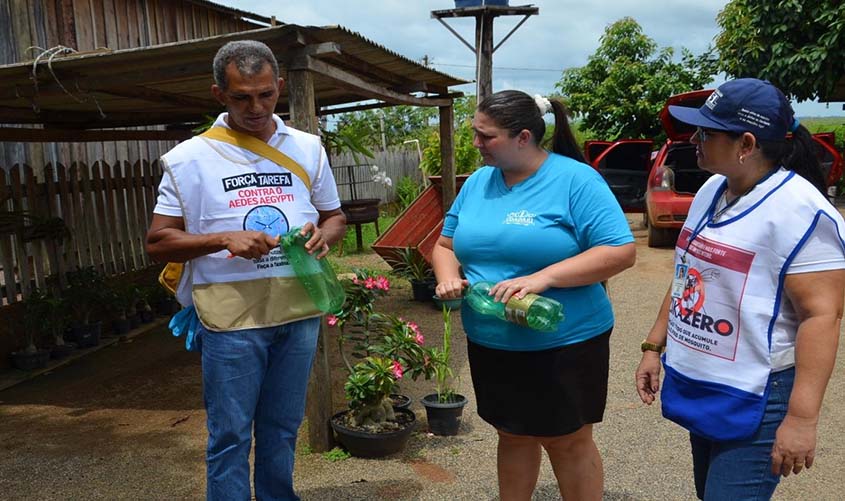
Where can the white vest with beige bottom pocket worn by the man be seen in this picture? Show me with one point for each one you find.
(221, 193)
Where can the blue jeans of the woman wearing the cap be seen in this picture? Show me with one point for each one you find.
(742, 469)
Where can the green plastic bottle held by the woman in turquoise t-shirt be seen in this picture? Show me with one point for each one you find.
(534, 311)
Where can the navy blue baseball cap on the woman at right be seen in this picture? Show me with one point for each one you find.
(743, 105)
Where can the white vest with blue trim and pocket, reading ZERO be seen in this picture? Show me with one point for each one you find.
(727, 332)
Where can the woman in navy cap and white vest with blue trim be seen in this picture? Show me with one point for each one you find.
(750, 324)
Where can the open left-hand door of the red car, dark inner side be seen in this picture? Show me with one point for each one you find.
(625, 166)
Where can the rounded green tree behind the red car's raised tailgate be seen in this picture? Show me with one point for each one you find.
(626, 82)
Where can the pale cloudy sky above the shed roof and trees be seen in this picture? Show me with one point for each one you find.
(563, 35)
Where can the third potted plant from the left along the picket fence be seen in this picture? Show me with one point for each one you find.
(86, 291)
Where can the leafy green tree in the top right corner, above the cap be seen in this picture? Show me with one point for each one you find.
(795, 44)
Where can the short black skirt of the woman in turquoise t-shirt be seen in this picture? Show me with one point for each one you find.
(541, 393)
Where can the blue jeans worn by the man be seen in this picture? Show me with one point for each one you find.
(255, 378)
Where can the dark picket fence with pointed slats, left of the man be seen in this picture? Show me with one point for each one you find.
(106, 207)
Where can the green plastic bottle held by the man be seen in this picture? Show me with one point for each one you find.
(316, 275)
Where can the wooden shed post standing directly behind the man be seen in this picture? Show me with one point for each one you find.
(318, 408)
